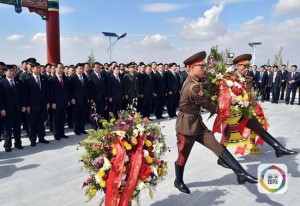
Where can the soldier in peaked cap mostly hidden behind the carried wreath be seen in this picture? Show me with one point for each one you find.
(242, 62)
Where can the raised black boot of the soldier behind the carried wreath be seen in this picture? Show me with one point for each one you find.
(280, 150)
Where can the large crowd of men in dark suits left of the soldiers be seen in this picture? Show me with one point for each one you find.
(53, 95)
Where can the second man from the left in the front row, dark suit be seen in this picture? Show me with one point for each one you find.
(36, 90)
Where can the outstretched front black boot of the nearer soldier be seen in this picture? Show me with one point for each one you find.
(242, 175)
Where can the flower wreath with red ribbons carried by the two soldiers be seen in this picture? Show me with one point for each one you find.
(230, 93)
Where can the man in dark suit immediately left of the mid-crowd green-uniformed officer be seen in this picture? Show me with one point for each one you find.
(114, 92)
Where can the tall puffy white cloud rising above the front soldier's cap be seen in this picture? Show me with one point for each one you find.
(207, 27)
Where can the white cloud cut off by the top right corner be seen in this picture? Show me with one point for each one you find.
(284, 7)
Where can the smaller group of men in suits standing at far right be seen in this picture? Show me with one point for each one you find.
(281, 83)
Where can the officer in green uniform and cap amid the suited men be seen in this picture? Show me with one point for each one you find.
(130, 83)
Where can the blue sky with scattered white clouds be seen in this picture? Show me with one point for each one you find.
(161, 31)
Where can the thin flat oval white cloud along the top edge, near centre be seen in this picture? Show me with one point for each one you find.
(161, 7)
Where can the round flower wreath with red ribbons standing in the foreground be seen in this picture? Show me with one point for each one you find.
(124, 158)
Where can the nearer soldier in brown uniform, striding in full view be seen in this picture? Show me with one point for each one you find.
(190, 128)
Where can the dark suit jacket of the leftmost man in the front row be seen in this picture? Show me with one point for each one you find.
(11, 99)
